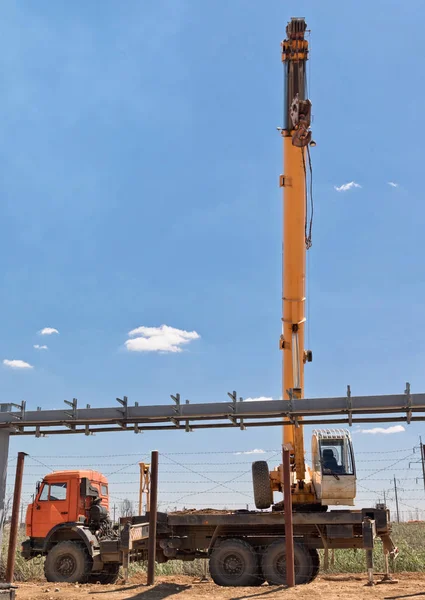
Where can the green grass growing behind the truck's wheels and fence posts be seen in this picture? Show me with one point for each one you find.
(408, 537)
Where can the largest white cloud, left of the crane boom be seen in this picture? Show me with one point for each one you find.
(159, 339)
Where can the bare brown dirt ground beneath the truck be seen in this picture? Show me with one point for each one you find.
(352, 587)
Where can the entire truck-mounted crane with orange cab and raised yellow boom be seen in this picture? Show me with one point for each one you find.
(69, 523)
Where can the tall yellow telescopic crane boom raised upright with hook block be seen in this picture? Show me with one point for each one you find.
(296, 235)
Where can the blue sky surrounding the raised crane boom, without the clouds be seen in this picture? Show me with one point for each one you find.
(140, 163)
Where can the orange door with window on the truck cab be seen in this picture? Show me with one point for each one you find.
(51, 507)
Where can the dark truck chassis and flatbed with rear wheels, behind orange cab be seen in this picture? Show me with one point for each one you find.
(235, 542)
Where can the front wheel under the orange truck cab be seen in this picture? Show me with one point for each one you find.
(67, 562)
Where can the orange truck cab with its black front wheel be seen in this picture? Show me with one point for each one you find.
(69, 524)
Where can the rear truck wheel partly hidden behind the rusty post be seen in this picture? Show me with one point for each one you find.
(274, 563)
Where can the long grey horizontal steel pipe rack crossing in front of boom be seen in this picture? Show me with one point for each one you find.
(234, 414)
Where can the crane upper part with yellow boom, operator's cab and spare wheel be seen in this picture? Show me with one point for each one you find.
(331, 479)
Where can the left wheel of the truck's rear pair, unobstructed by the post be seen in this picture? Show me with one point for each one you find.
(234, 563)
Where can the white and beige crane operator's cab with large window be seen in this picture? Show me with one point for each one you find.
(334, 472)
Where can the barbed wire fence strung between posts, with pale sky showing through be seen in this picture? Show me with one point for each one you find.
(222, 479)
